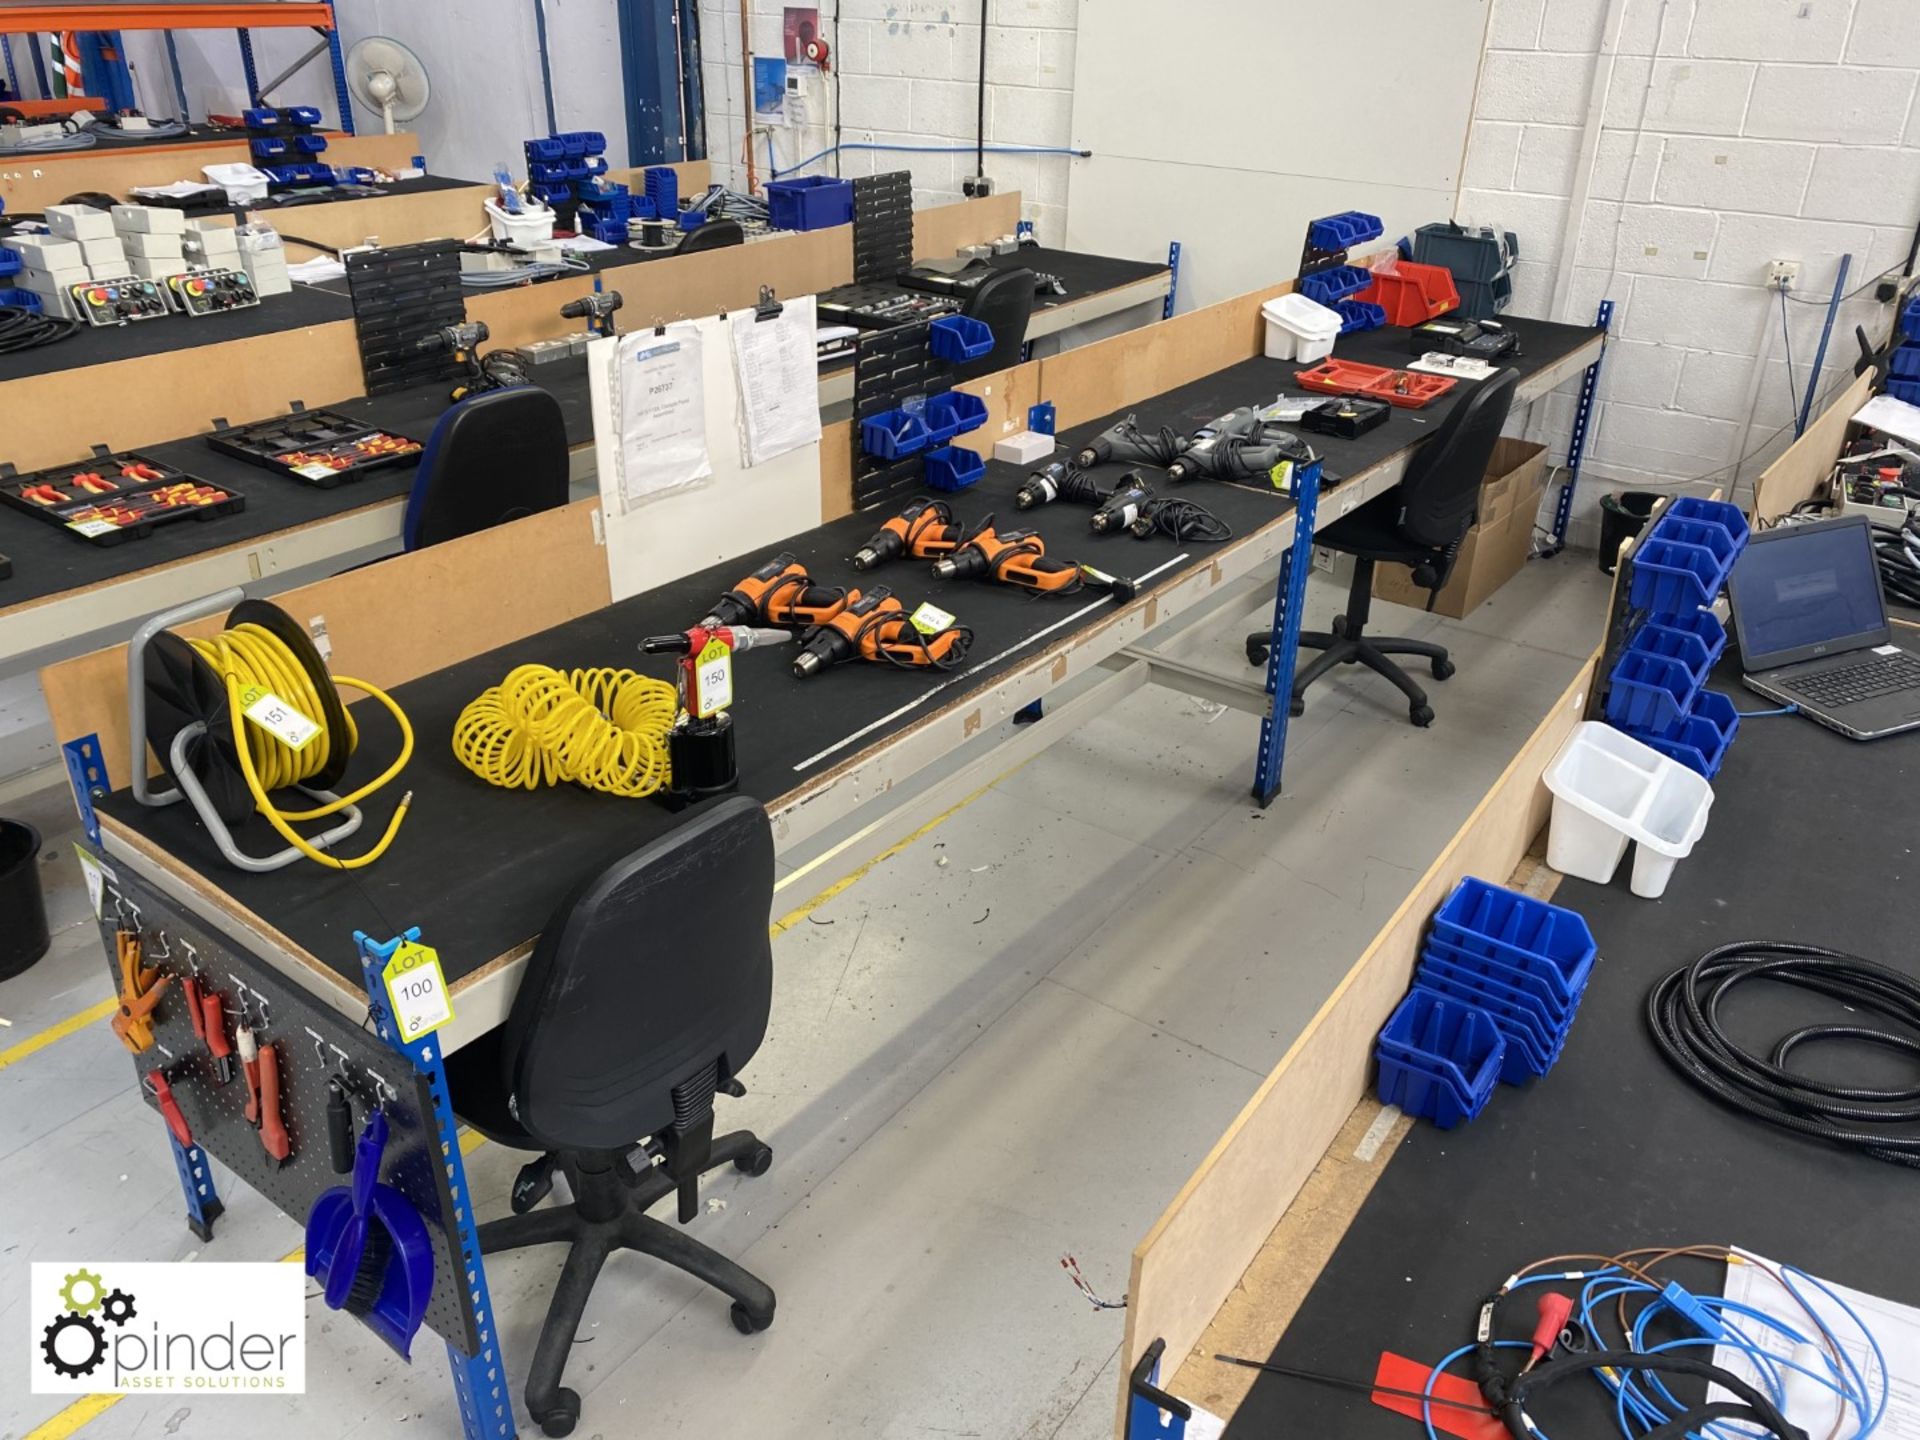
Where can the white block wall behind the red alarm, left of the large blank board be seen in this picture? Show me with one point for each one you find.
(909, 78)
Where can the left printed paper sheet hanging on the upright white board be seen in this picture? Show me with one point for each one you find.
(660, 414)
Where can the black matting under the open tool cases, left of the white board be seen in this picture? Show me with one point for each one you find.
(49, 562)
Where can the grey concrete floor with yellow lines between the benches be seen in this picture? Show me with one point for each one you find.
(1011, 1042)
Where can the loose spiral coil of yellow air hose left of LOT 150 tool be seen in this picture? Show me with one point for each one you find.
(598, 729)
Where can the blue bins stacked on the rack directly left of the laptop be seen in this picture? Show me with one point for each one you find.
(1658, 688)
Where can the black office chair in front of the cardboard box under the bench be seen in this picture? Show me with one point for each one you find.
(1418, 523)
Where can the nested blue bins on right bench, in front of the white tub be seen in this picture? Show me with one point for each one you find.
(1495, 997)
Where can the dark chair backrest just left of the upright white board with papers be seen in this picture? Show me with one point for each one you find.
(492, 458)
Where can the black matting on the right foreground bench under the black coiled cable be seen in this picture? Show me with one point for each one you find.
(1810, 840)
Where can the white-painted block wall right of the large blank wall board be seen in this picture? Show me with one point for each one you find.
(1735, 133)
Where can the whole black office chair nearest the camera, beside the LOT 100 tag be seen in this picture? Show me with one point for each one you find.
(642, 999)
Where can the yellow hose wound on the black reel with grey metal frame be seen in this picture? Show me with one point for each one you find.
(254, 656)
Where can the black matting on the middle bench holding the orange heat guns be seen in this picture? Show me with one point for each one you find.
(481, 869)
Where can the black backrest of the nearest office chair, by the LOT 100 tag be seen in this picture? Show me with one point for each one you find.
(648, 976)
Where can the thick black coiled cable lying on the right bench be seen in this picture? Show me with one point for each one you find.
(1685, 1017)
